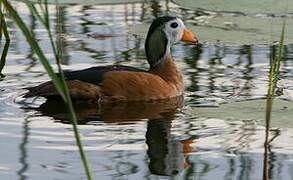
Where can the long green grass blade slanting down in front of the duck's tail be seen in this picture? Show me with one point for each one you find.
(60, 85)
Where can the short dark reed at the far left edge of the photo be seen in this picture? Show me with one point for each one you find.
(3, 30)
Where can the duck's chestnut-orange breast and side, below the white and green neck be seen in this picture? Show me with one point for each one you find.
(159, 83)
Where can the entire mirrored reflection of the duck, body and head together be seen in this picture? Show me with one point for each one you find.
(166, 154)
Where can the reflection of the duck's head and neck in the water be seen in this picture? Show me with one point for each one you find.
(166, 155)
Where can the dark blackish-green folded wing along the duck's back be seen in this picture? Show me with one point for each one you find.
(94, 75)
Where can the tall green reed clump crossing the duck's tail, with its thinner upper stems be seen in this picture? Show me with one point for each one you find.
(59, 83)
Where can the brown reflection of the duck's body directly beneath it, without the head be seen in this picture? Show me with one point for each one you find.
(112, 112)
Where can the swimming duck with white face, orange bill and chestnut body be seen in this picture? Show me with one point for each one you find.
(124, 83)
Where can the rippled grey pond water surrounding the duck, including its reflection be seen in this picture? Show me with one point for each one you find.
(180, 139)
